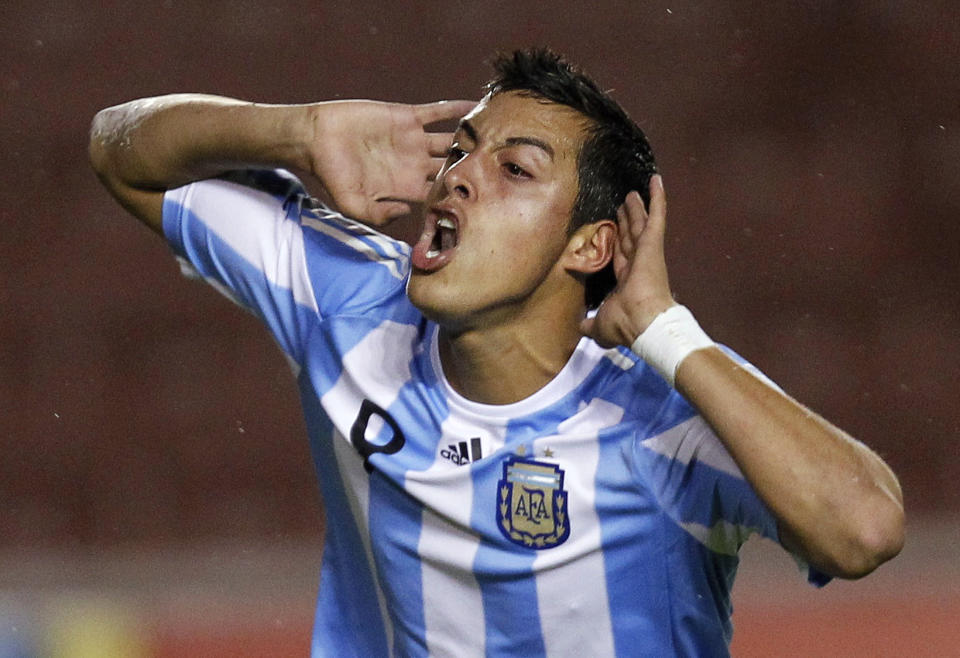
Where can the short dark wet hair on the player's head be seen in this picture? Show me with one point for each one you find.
(615, 156)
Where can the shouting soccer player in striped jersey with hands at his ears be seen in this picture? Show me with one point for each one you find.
(504, 471)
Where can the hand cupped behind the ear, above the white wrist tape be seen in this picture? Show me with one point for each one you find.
(642, 291)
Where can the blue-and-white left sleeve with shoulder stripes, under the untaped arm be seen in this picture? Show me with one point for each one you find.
(261, 240)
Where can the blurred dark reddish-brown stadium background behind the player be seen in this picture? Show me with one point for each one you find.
(156, 491)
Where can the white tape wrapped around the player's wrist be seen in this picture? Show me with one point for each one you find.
(669, 339)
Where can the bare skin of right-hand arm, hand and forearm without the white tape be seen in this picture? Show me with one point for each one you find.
(838, 505)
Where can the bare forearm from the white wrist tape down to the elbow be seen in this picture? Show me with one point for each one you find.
(837, 503)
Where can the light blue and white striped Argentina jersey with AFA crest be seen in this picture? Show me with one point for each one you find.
(600, 516)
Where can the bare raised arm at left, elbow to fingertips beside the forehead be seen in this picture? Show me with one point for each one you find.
(375, 160)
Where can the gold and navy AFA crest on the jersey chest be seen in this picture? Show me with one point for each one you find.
(531, 504)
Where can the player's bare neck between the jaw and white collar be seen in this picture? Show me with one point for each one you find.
(511, 361)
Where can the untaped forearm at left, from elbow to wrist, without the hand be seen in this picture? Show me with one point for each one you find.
(164, 142)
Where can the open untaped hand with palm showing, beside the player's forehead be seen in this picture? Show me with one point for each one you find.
(376, 160)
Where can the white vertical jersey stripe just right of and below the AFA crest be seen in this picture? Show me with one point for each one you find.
(574, 598)
